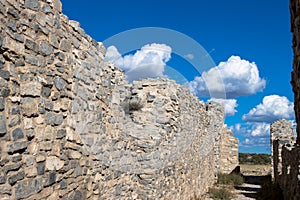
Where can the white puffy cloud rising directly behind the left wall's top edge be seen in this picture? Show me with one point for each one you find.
(149, 61)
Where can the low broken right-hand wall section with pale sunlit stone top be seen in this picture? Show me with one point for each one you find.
(285, 158)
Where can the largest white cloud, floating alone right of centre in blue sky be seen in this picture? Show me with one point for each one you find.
(236, 77)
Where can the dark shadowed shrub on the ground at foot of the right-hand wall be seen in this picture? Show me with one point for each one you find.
(270, 191)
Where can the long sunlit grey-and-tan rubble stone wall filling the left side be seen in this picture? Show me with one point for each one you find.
(72, 127)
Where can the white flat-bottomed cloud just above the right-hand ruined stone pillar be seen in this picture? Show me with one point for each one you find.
(272, 108)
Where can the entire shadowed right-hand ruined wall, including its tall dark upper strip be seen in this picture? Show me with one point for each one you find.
(285, 147)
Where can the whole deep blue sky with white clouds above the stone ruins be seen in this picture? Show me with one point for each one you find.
(234, 52)
